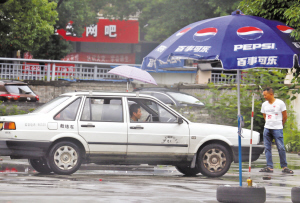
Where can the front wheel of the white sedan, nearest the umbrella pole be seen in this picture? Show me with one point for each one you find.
(214, 160)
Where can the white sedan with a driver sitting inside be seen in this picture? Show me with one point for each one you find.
(94, 127)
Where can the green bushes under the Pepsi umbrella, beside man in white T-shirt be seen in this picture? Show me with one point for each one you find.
(222, 102)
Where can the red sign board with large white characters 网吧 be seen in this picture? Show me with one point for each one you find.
(115, 31)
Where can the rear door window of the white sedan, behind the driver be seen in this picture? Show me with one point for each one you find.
(102, 110)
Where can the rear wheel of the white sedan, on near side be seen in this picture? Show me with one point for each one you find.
(65, 158)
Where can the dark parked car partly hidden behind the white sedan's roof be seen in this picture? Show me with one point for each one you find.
(171, 97)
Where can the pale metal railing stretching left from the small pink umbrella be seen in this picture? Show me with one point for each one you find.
(29, 69)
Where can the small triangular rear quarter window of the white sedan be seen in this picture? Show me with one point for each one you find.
(69, 113)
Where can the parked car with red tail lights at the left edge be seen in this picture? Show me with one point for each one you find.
(16, 91)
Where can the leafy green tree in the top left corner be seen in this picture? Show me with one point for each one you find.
(26, 24)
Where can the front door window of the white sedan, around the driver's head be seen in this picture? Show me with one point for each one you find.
(151, 112)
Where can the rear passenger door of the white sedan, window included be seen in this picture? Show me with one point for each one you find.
(102, 126)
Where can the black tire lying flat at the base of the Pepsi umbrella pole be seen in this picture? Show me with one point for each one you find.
(241, 194)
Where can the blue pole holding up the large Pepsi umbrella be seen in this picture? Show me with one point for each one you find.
(239, 126)
